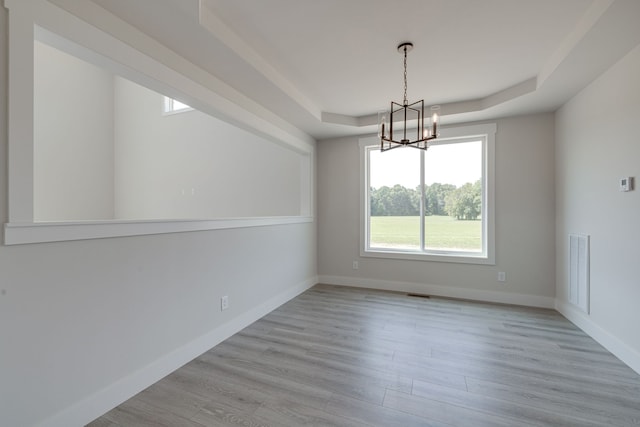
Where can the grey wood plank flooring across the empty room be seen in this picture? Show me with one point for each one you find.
(337, 356)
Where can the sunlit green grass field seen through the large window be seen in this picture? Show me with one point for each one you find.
(441, 232)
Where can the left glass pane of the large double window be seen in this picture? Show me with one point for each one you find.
(394, 199)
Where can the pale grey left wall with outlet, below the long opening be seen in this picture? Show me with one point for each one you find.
(84, 324)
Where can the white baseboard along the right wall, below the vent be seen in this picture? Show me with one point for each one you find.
(622, 351)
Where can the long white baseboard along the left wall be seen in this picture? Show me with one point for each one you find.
(104, 400)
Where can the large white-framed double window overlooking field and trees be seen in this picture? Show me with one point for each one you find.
(431, 205)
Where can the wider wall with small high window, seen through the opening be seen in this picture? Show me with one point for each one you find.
(192, 165)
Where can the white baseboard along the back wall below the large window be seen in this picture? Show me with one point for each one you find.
(442, 291)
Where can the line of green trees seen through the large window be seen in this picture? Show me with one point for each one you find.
(464, 202)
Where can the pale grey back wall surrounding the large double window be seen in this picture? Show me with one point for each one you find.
(524, 224)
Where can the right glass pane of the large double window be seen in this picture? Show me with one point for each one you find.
(453, 197)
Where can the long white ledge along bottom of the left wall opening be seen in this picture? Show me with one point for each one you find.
(41, 232)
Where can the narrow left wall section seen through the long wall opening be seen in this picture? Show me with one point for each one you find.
(73, 138)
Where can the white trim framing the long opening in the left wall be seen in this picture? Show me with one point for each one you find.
(141, 68)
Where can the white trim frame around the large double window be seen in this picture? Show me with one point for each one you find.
(488, 202)
